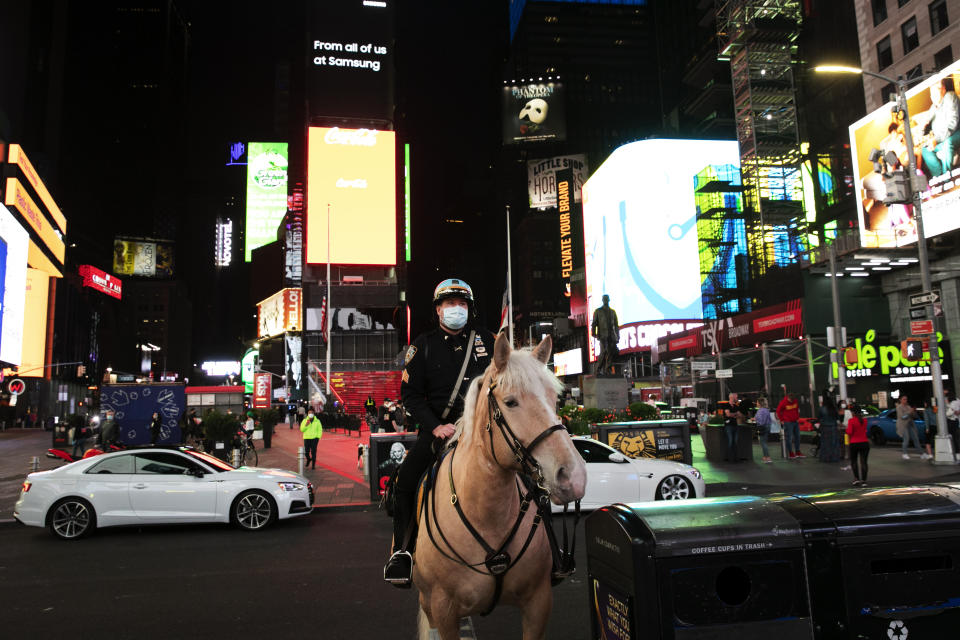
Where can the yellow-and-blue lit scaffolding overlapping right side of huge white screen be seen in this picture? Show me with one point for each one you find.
(721, 233)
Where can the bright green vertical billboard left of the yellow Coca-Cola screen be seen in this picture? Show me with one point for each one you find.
(266, 193)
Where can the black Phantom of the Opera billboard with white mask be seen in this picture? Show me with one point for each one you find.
(534, 112)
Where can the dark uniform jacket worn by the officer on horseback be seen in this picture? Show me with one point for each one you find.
(433, 363)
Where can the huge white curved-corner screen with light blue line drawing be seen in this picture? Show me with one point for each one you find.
(640, 233)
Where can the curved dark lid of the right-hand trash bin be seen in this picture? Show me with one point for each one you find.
(927, 510)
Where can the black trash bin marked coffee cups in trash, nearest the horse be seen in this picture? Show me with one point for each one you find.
(728, 568)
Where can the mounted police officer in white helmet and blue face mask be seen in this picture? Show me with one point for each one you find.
(439, 366)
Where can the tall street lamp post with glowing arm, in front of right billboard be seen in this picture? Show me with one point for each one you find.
(944, 443)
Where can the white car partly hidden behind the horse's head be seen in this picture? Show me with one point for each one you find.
(613, 477)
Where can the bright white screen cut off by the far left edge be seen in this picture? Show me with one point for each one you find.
(15, 240)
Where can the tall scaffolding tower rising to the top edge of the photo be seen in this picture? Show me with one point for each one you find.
(758, 37)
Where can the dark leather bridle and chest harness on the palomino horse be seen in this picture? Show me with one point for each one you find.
(498, 561)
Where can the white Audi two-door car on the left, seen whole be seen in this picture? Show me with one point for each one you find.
(158, 485)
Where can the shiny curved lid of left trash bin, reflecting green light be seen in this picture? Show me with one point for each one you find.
(716, 525)
